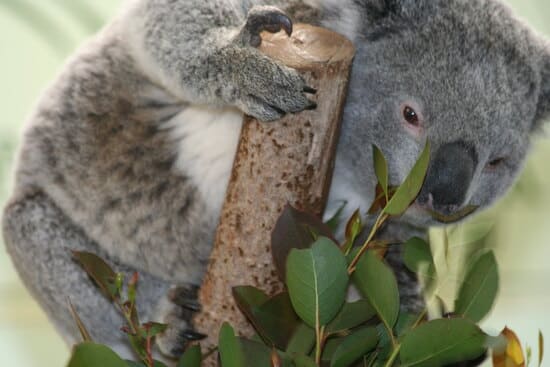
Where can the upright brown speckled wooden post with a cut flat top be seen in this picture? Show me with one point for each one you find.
(287, 161)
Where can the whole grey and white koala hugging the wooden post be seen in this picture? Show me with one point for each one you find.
(129, 152)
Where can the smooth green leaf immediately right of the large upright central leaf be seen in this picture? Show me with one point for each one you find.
(377, 283)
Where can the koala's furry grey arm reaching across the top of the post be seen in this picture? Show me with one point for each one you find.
(204, 52)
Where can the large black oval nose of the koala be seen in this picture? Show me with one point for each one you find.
(449, 177)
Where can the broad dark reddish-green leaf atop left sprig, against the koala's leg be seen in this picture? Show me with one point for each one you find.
(103, 275)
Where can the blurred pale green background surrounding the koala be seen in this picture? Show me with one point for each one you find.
(36, 37)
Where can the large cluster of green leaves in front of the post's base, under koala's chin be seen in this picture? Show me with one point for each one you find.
(313, 325)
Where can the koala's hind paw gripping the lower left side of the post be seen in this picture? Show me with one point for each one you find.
(177, 310)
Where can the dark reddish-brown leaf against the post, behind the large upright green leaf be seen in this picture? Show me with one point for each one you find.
(294, 229)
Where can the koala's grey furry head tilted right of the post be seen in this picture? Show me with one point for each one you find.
(463, 74)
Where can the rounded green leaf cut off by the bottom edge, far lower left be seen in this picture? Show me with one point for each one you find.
(94, 355)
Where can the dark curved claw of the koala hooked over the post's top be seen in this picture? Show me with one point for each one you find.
(264, 18)
